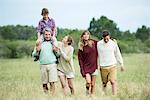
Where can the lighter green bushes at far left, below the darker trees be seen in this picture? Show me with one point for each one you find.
(15, 49)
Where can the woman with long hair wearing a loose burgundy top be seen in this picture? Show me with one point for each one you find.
(87, 56)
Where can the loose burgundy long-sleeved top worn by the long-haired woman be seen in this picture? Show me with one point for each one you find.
(88, 59)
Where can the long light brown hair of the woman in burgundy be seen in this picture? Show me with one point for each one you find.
(82, 41)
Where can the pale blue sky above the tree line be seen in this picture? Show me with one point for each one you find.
(127, 14)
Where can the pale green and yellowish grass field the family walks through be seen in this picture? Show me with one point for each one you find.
(20, 80)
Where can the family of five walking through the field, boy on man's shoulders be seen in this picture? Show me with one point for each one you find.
(56, 58)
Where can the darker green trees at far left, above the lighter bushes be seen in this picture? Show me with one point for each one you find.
(11, 32)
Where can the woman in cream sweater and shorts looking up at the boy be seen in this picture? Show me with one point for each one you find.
(65, 66)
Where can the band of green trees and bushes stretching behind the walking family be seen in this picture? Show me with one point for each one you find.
(18, 41)
